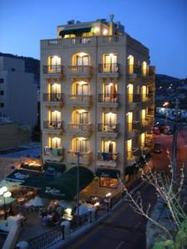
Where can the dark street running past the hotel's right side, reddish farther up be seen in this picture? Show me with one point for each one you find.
(125, 229)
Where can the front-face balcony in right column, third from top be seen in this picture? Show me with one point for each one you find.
(108, 130)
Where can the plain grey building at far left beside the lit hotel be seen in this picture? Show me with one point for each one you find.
(18, 90)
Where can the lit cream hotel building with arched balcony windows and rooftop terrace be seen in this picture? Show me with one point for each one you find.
(97, 98)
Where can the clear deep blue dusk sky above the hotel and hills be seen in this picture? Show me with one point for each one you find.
(161, 25)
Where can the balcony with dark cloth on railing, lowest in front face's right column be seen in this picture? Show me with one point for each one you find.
(107, 160)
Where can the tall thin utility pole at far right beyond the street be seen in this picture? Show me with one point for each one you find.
(174, 142)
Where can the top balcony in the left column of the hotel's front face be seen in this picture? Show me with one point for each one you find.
(53, 71)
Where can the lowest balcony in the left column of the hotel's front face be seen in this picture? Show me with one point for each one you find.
(53, 153)
